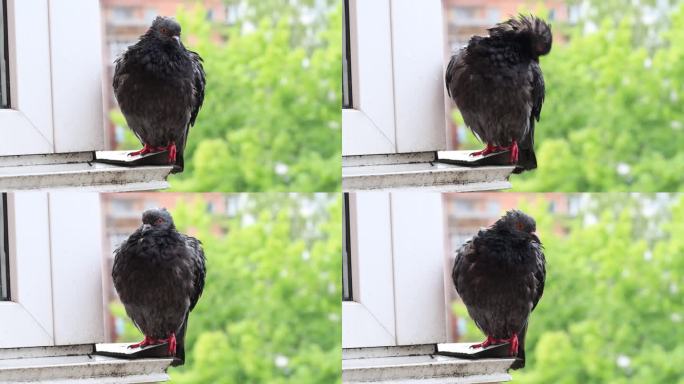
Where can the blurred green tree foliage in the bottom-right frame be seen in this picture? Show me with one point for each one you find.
(612, 309)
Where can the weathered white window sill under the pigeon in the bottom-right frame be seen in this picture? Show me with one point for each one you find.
(419, 364)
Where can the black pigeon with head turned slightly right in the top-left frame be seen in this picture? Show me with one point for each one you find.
(160, 89)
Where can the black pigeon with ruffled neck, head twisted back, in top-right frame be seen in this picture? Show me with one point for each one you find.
(498, 86)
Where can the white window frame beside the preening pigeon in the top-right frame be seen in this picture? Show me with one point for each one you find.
(397, 51)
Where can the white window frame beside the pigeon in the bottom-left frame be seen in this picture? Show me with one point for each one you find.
(55, 271)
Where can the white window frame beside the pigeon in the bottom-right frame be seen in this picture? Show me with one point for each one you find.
(397, 246)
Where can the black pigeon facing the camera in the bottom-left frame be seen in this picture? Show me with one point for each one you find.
(159, 276)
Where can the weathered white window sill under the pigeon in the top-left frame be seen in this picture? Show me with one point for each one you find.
(64, 171)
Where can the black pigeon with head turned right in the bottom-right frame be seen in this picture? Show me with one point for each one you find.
(499, 274)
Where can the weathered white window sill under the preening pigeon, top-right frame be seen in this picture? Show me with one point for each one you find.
(419, 171)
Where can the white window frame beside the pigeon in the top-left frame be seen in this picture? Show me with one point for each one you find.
(55, 78)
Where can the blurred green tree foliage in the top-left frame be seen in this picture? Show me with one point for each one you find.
(271, 114)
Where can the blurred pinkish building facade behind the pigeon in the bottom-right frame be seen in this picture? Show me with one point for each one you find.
(467, 213)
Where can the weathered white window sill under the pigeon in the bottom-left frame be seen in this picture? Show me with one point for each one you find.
(36, 367)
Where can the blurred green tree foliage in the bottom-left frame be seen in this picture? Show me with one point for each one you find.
(270, 312)
